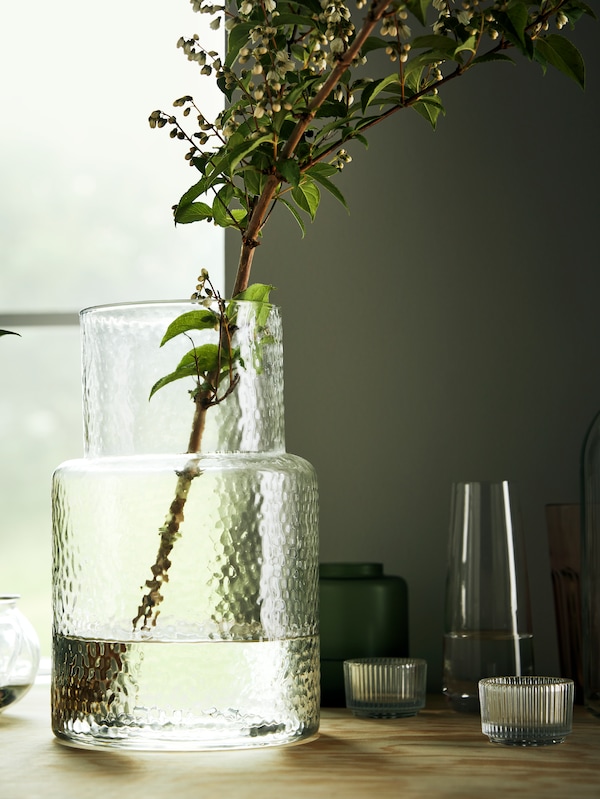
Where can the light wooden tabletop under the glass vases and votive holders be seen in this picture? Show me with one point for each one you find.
(438, 753)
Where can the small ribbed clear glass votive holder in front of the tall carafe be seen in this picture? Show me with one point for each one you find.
(526, 711)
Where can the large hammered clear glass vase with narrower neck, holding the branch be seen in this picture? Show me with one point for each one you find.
(185, 583)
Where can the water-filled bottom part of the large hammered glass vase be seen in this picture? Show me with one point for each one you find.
(184, 695)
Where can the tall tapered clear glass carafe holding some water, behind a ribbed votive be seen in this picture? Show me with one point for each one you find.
(487, 630)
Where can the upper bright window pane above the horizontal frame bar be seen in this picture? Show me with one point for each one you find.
(87, 187)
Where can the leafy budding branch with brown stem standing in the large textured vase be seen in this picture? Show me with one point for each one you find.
(273, 156)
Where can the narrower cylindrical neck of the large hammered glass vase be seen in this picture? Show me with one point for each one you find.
(122, 359)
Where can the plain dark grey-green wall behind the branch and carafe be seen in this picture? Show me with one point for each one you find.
(448, 329)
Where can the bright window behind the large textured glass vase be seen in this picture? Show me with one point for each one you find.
(85, 194)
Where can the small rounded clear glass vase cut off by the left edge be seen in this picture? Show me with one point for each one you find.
(19, 652)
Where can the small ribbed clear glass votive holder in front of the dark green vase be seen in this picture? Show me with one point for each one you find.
(385, 688)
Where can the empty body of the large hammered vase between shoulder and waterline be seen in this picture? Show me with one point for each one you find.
(244, 567)
